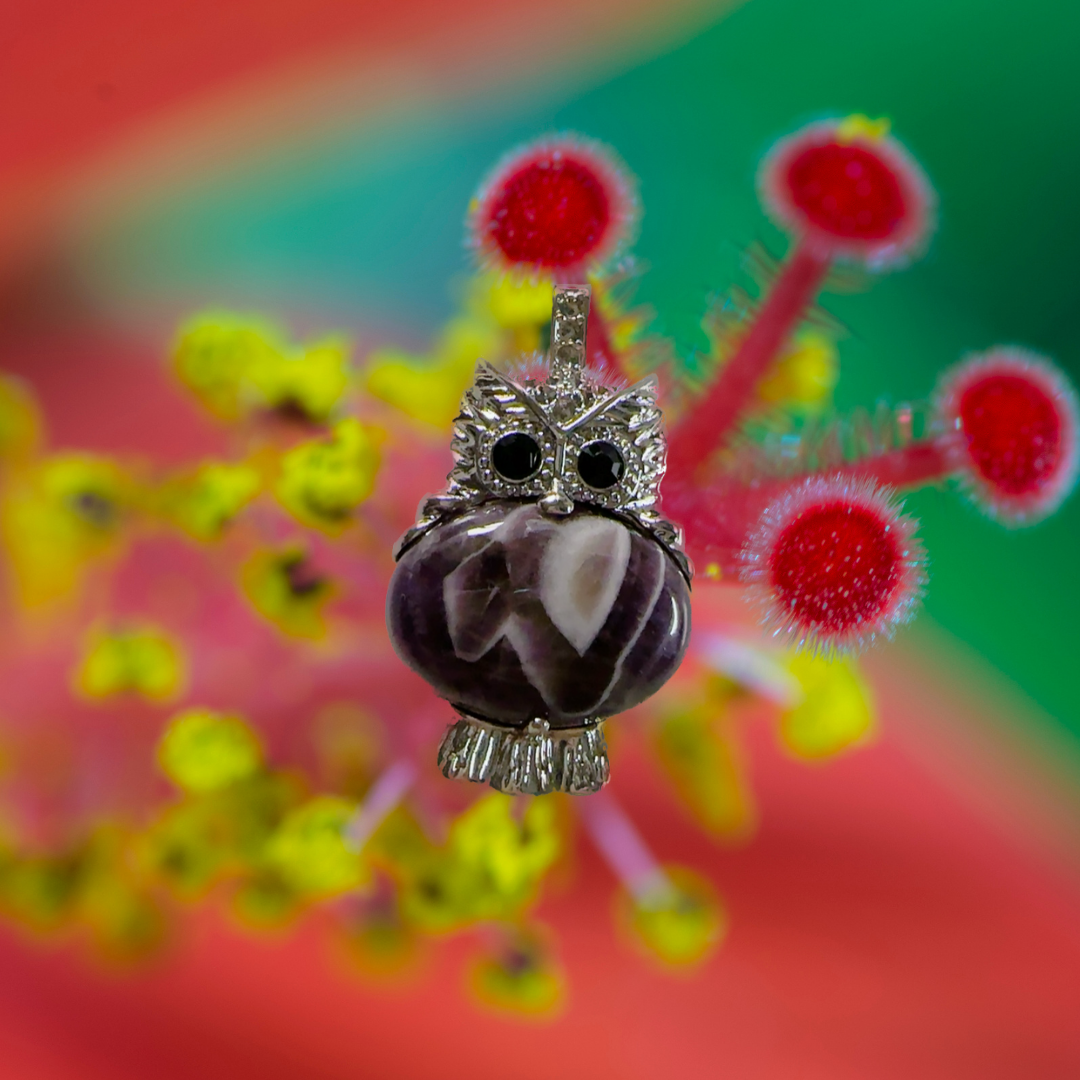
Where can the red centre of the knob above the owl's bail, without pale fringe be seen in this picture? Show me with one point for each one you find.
(550, 214)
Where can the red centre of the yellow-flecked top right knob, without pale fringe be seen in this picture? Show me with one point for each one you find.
(847, 191)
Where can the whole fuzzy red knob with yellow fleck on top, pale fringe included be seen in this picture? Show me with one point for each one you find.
(850, 192)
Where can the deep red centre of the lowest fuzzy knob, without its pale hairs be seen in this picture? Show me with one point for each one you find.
(835, 568)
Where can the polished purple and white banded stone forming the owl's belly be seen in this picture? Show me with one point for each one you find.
(515, 616)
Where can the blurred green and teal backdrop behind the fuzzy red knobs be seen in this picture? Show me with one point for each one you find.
(364, 231)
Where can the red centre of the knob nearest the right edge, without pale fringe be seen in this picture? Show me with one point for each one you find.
(1014, 433)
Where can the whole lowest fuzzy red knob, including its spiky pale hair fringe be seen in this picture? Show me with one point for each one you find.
(834, 564)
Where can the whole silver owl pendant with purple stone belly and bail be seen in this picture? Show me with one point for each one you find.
(543, 592)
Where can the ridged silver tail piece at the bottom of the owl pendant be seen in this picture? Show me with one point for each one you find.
(536, 760)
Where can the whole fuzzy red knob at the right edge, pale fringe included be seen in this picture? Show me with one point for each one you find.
(1017, 422)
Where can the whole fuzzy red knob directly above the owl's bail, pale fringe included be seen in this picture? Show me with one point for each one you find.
(561, 206)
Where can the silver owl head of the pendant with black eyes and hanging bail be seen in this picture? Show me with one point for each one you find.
(561, 438)
